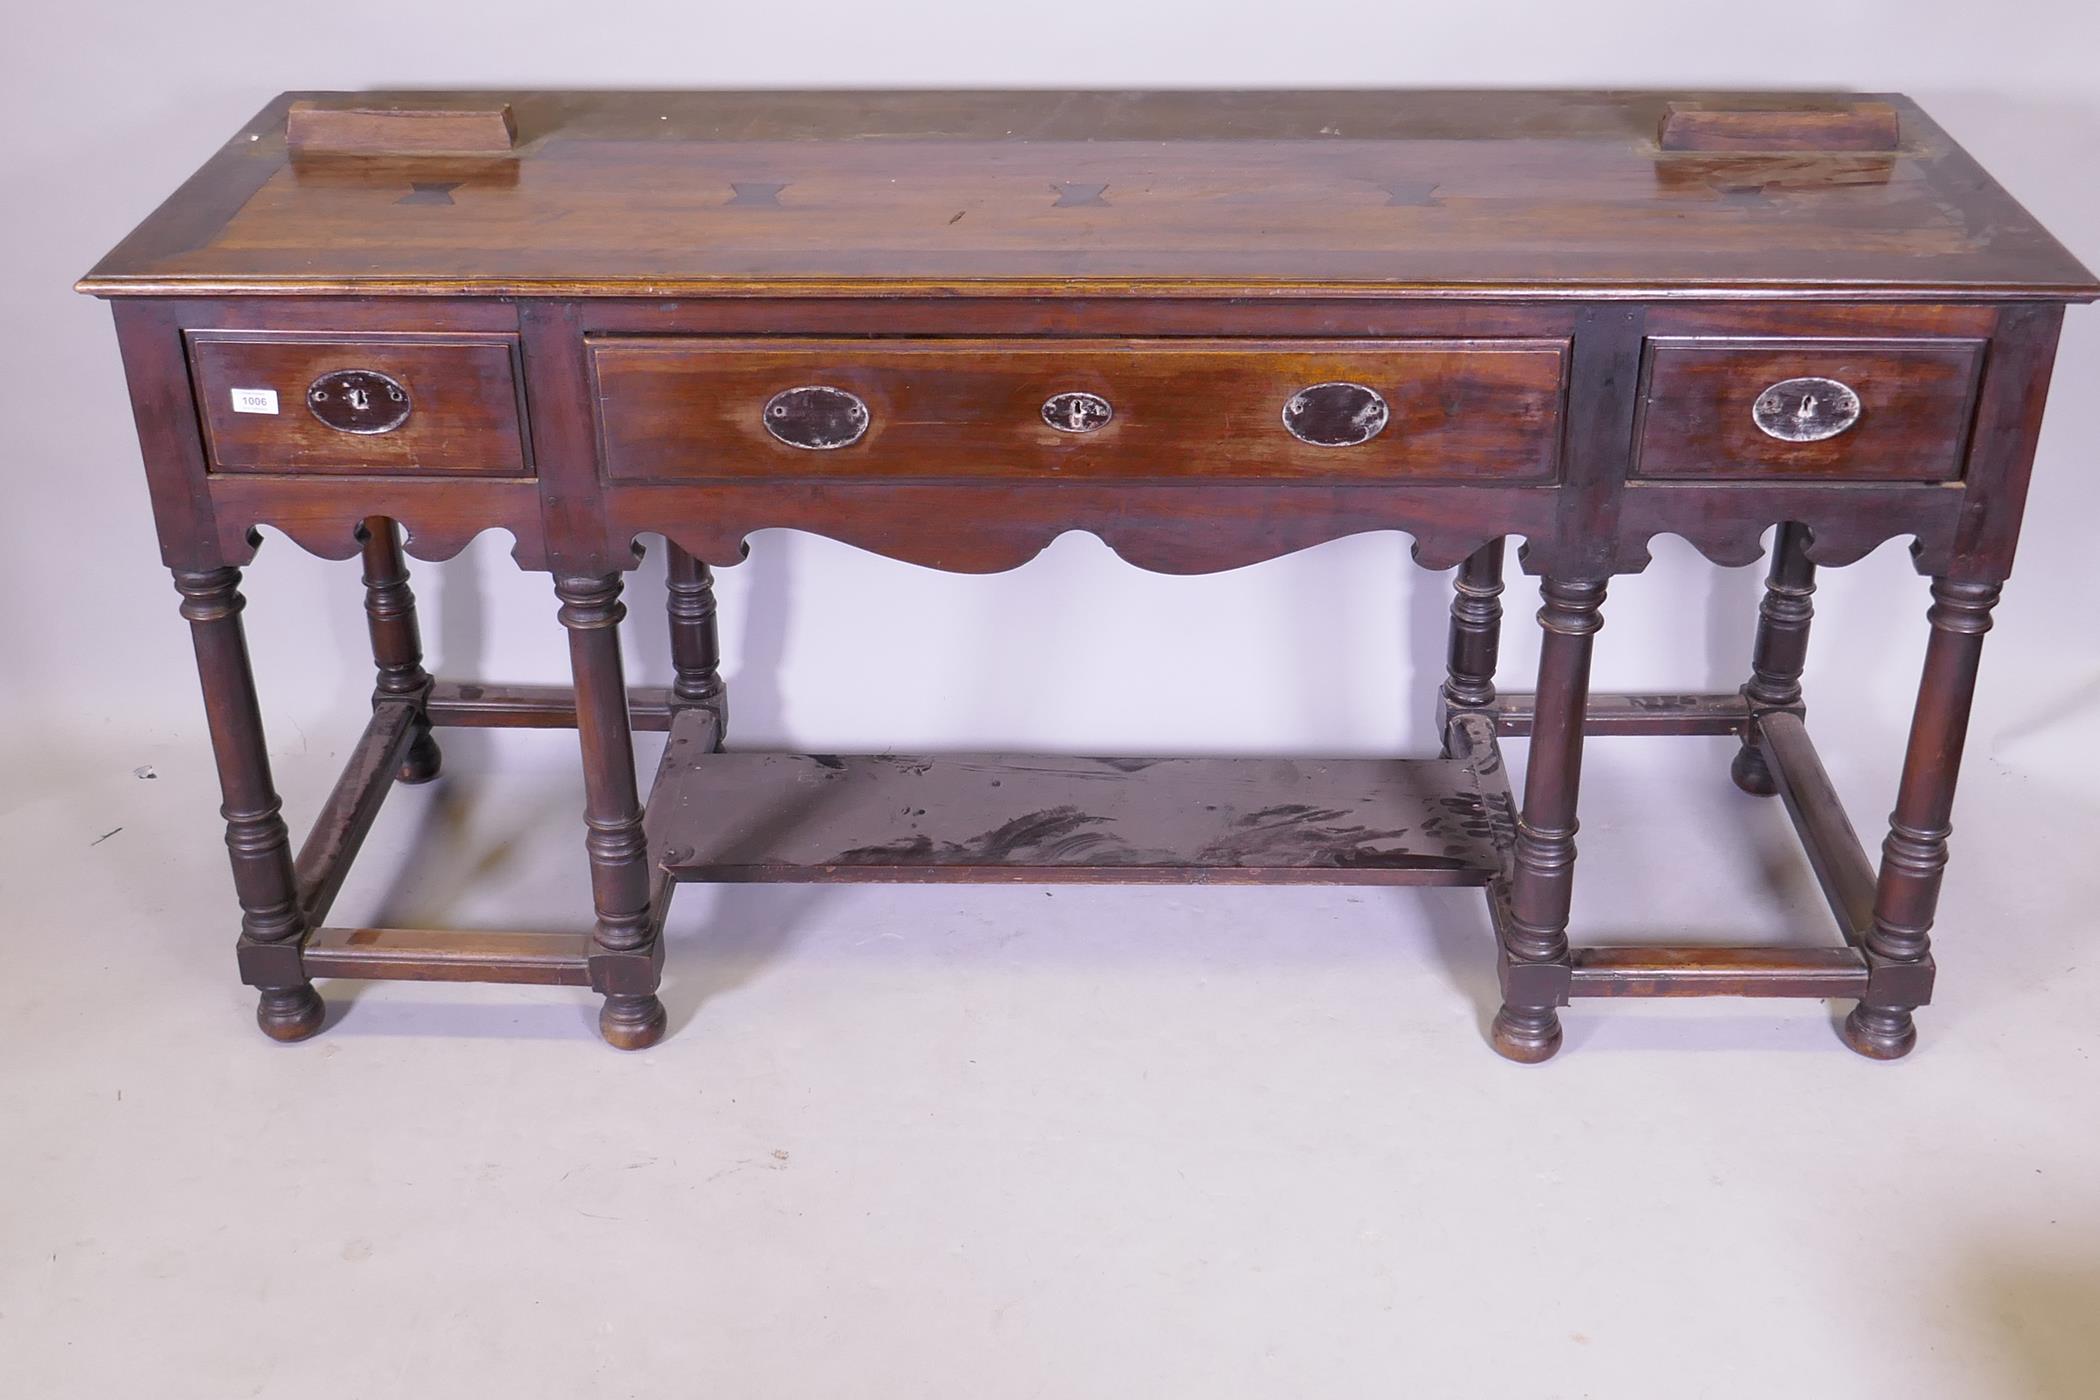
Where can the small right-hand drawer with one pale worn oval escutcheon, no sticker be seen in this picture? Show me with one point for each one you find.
(1841, 410)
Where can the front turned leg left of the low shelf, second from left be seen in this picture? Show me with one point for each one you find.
(627, 958)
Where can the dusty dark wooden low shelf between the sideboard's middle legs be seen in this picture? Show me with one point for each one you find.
(795, 818)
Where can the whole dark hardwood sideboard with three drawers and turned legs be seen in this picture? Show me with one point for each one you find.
(1211, 328)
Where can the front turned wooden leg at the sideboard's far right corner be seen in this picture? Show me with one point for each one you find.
(1908, 893)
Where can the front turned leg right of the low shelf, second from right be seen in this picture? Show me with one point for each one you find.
(1536, 946)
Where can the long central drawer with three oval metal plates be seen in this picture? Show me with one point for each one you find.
(1038, 408)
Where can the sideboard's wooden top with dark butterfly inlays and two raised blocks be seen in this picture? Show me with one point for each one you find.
(1423, 194)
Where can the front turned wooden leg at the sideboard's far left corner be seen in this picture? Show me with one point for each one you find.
(274, 925)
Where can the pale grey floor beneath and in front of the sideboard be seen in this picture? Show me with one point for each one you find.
(1013, 1143)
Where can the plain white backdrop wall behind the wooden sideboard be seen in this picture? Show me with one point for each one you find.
(1337, 650)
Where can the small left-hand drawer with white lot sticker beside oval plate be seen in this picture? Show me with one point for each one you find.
(427, 406)
